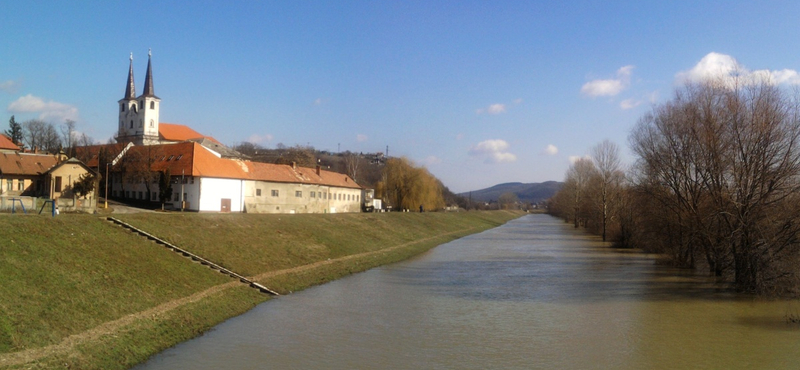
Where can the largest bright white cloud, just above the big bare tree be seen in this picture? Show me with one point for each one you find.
(716, 66)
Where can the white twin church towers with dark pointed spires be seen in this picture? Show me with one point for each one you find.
(138, 116)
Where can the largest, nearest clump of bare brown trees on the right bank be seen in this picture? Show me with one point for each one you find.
(724, 159)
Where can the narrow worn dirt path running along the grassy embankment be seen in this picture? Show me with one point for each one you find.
(69, 343)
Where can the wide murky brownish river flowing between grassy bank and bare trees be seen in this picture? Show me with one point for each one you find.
(534, 293)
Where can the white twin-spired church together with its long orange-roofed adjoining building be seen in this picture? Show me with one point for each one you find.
(207, 176)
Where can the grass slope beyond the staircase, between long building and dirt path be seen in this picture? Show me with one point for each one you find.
(252, 244)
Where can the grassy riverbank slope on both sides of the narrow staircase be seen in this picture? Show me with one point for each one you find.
(78, 292)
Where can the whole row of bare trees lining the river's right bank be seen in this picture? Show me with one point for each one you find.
(714, 185)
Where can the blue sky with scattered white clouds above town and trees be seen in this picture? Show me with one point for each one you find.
(479, 92)
